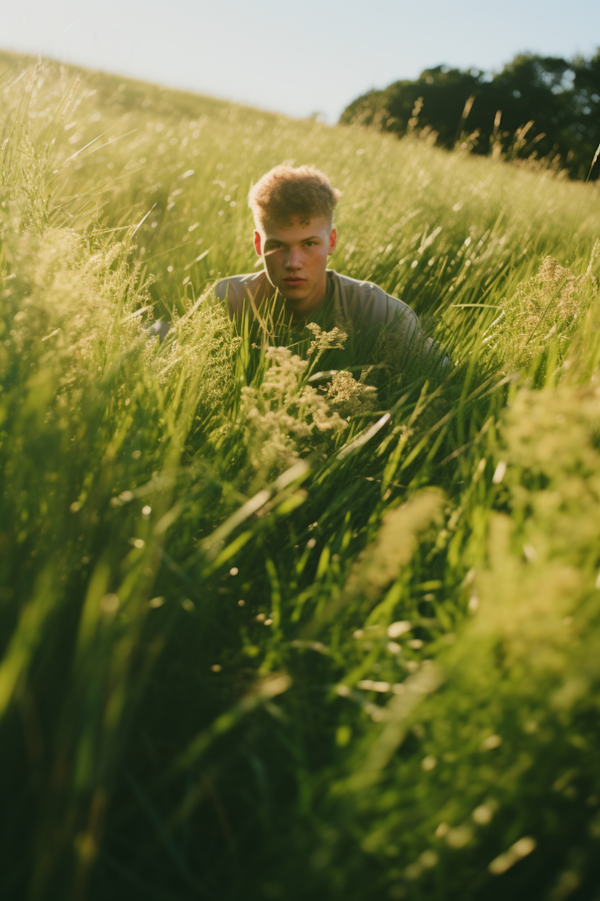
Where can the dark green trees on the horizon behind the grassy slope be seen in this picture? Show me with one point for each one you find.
(540, 107)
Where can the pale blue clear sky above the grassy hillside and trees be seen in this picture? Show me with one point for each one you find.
(298, 57)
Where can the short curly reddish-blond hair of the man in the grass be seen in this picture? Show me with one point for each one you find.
(286, 193)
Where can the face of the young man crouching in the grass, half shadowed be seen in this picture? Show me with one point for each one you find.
(295, 257)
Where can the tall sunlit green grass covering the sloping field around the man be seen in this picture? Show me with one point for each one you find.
(261, 641)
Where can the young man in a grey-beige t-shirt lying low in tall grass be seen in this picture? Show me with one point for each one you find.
(294, 234)
